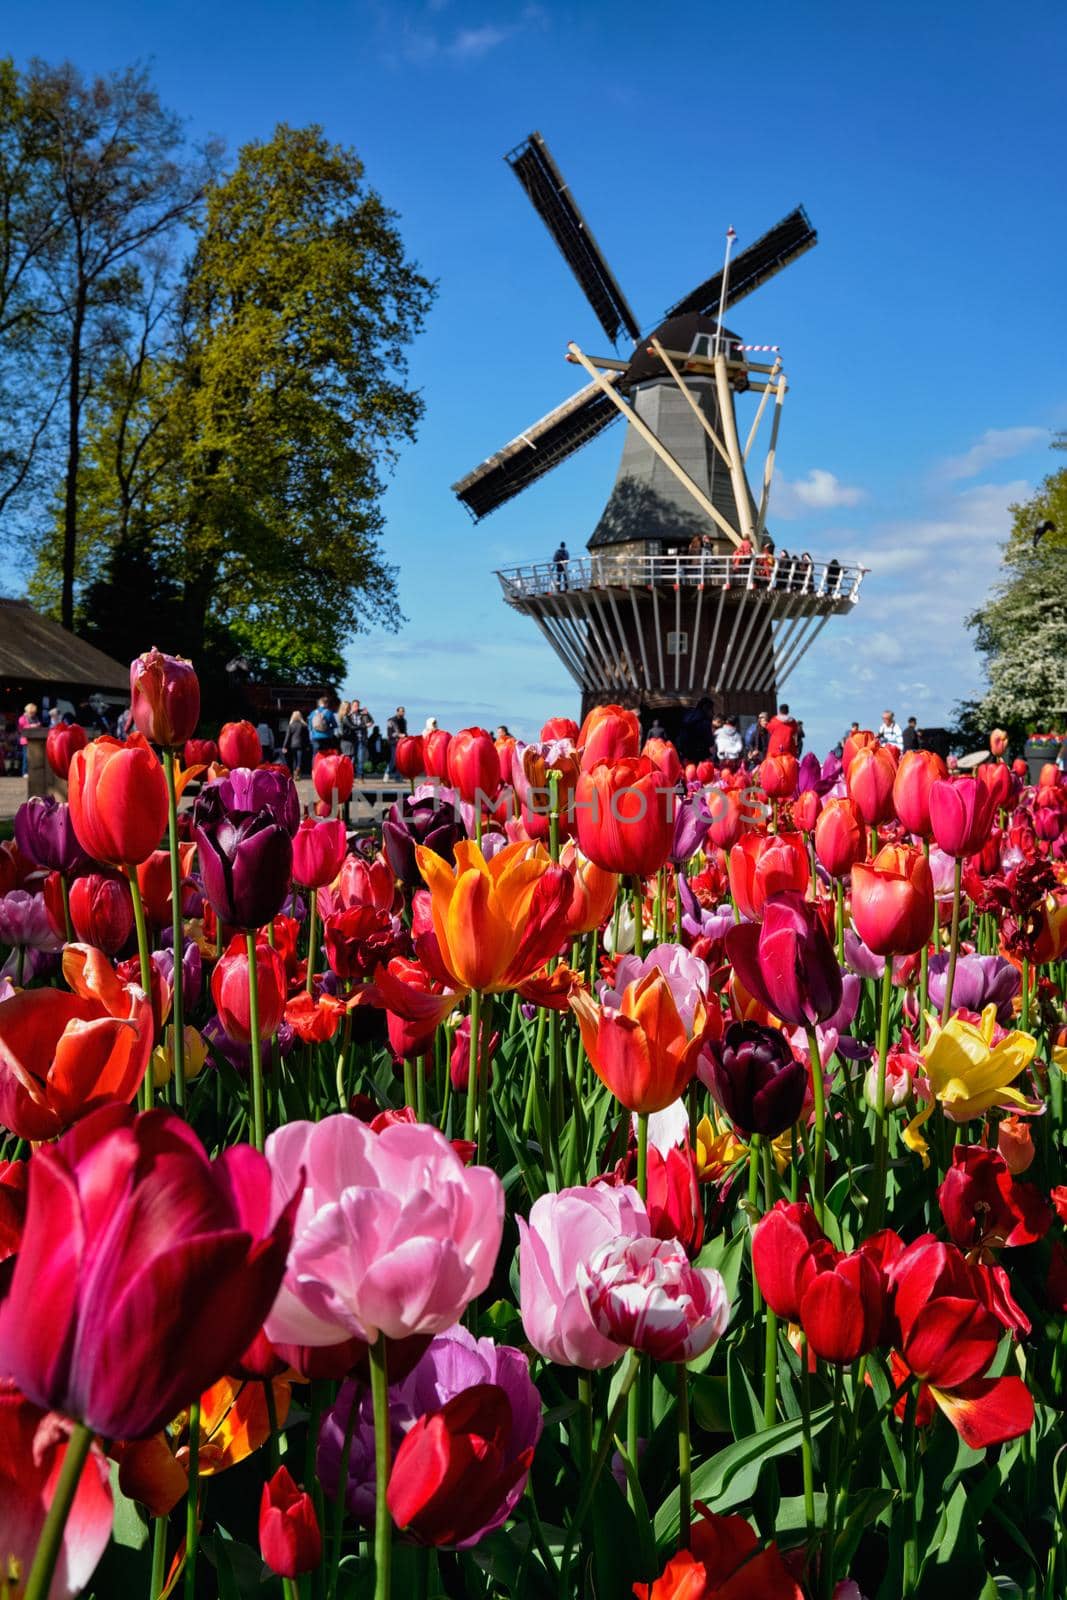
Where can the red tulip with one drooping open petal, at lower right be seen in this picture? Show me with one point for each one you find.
(949, 1338)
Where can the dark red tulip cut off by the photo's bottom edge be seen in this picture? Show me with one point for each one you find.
(725, 1562)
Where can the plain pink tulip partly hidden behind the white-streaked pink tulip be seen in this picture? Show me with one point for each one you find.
(565, 1231)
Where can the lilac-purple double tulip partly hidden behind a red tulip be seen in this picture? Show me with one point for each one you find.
(454, 1364)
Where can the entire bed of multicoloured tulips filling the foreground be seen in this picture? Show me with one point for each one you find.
(609, 1178)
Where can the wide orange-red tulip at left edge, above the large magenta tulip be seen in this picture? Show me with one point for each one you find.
(65, 1054)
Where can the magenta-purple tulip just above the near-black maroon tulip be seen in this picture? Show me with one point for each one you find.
(788, 962)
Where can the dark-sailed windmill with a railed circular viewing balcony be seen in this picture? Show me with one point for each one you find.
(682, 596)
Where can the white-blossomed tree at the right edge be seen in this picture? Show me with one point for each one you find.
(1023, 628)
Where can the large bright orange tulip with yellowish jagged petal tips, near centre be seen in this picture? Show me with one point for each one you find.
(498, 921)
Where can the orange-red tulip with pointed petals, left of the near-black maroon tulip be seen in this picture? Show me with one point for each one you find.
(642, 1052)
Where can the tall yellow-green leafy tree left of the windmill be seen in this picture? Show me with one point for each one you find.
(246, 457)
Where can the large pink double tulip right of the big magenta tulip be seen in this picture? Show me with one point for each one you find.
(393, 1234)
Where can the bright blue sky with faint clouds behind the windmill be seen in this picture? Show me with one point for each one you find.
(924, 335)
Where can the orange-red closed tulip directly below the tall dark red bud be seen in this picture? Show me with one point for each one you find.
(118, 801)
